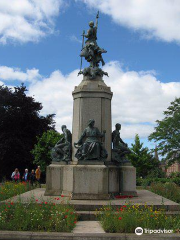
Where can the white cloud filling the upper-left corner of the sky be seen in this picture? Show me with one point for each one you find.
(27, 20)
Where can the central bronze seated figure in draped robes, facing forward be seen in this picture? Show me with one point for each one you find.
(91, 148)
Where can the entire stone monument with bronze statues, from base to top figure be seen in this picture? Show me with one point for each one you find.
(92, 163)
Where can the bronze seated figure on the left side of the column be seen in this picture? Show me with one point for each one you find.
(63, 148)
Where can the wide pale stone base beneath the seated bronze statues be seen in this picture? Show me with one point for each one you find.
(91, 182)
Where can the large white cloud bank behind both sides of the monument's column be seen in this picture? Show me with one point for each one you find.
(139, 98)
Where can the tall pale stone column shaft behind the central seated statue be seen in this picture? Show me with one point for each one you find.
(92, 100)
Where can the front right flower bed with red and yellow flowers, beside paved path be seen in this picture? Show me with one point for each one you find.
(128, 217)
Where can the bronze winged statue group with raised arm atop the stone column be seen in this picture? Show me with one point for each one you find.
(92, 52)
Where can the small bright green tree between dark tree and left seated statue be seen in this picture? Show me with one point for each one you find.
(42, 150)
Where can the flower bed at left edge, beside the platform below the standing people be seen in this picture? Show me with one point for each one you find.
(11, 189)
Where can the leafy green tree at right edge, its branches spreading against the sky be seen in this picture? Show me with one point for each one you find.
(167, 131)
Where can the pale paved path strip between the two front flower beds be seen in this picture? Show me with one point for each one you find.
(88, 227)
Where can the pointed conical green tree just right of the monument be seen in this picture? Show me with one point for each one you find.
(142, 159)
